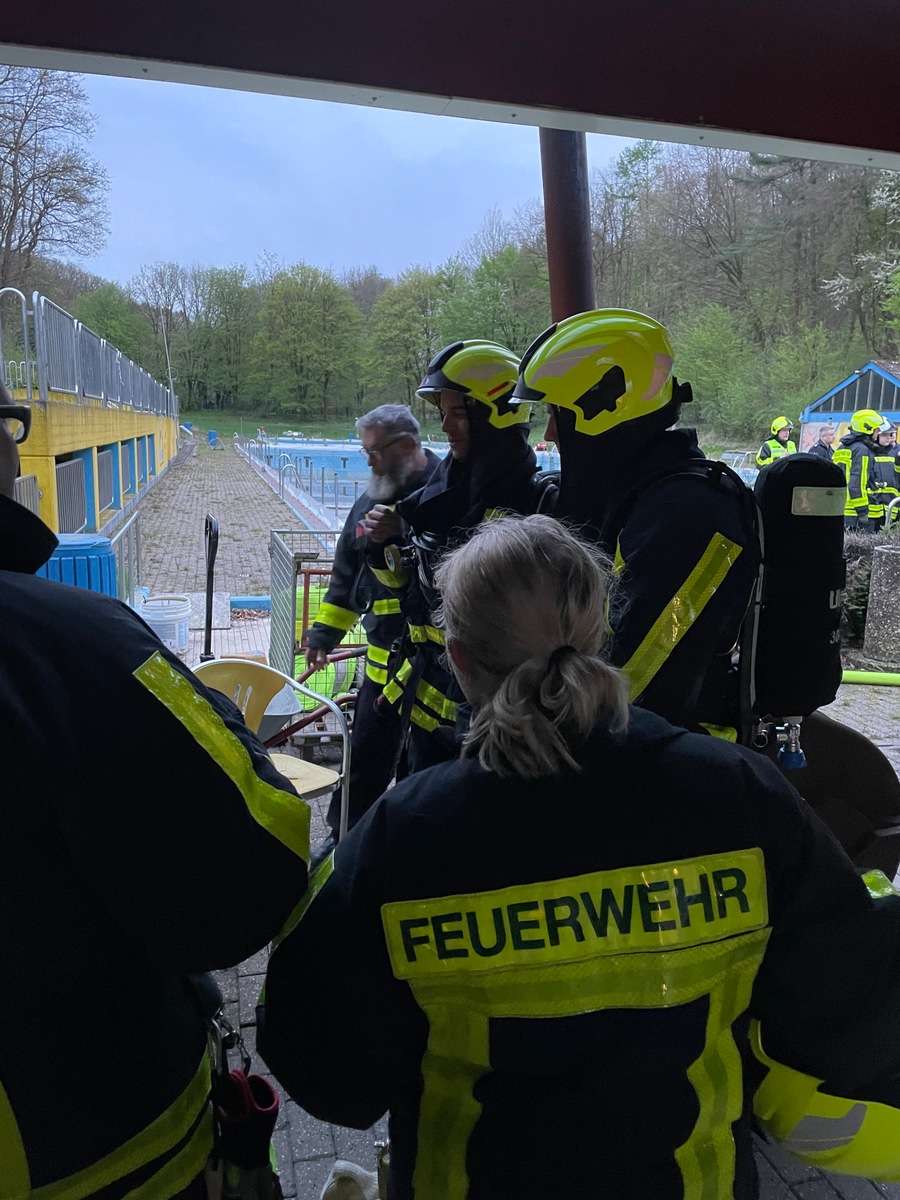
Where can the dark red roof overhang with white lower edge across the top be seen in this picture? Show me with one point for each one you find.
(777, 77)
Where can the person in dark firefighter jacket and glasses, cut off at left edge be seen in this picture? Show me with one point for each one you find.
(147, 836)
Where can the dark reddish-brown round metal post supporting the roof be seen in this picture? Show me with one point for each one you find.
(567, 218)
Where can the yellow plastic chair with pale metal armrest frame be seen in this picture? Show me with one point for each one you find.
(253, 687)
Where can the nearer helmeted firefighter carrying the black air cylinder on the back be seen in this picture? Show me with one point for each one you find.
(680, 530)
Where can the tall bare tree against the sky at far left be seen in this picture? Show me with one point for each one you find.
(52, 193)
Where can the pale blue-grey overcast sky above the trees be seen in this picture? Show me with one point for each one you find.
(201, 175)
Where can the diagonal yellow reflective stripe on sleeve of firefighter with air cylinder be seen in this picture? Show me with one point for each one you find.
(681, 614)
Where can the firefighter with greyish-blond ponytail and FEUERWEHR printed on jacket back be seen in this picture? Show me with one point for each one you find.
(568, 937)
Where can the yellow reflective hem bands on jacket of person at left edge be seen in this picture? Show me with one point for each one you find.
(157, 1139)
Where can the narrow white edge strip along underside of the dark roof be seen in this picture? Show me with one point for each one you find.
(441, 106)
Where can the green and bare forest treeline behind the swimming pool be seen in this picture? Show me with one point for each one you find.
(776, 277)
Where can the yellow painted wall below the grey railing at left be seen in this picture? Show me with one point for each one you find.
(62, 427)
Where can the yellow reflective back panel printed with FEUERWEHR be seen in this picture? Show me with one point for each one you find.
(634, 910)
